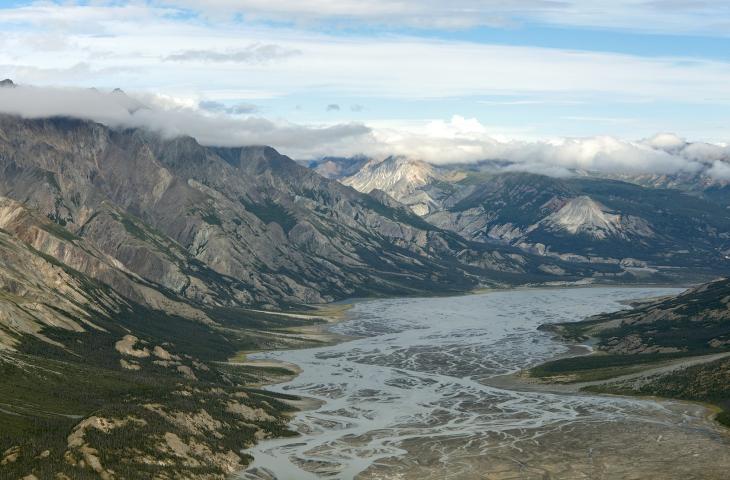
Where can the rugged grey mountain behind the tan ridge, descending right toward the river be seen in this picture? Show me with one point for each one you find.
(231, 226)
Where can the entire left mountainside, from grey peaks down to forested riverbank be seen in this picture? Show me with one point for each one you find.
(135, 266)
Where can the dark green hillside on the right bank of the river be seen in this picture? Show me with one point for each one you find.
(656, 333)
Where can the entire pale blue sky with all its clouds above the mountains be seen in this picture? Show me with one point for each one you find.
(580, 81)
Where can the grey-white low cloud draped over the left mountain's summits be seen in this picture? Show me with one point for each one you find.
(173, 116)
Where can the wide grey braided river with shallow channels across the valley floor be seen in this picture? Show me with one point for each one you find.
(407, 399)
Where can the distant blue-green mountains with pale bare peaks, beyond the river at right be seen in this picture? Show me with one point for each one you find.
(583, 218)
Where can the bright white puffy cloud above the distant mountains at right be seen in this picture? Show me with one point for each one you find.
(467, 140)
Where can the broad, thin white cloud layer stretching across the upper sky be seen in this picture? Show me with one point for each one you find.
(123, 46)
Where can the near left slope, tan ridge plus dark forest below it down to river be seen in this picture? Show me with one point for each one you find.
(97, 385)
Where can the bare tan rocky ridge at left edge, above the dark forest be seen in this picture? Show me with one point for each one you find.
(64, 288)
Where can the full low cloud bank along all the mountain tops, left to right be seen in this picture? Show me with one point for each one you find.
(458, 140)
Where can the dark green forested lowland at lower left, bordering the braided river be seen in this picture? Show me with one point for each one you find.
(208, 414)
